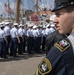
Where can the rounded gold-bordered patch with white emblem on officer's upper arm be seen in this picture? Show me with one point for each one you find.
(44, 67)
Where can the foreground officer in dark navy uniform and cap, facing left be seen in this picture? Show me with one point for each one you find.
(60, 58)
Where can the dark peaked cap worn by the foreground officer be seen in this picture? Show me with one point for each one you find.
(58, 4)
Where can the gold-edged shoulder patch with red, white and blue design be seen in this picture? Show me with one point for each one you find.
(62, 45)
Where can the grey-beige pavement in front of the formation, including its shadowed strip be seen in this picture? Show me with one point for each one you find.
(22, 65)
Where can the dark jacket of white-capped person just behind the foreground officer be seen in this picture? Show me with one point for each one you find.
(52, 38)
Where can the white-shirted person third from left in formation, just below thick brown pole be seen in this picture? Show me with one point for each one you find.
(14, 40)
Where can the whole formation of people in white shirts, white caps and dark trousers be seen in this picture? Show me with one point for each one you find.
(15, 37)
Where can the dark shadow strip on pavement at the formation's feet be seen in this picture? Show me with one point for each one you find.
(21, 57)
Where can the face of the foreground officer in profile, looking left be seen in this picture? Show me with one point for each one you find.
(64, 21)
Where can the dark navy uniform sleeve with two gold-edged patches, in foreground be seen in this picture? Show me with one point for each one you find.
(56, 60)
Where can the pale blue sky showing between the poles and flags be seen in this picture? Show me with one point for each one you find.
(27, 4)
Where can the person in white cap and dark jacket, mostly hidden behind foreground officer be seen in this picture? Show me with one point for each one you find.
(54, 37)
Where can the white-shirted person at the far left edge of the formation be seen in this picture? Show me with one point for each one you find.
(3, 42)
